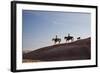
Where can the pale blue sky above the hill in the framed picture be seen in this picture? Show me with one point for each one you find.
(39, 27)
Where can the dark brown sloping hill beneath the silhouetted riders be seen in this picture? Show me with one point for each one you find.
(77, 50)
